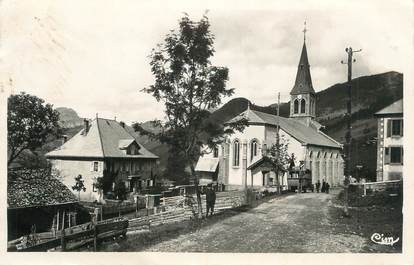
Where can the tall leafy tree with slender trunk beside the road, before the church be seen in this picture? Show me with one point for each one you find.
(189, 86)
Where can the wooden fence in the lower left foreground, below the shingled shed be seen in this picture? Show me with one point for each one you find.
(72, 238)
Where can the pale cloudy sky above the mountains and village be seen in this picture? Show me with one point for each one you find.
(92, 56)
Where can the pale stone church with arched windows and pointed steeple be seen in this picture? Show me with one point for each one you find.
(232, 162)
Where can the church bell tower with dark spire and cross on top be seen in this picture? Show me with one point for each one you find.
(303, 96)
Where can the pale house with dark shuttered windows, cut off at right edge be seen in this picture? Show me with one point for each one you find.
(390, 142)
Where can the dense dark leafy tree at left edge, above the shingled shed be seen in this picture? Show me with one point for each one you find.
(30, 121)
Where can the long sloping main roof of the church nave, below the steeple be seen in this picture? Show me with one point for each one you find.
(304, 134)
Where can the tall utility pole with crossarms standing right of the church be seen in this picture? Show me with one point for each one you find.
(348, 134)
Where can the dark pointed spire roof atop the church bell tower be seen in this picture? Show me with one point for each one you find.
(303, 82)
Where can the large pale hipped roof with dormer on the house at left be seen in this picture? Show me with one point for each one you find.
(105, 138)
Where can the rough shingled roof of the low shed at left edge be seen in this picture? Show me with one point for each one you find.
(27, 189)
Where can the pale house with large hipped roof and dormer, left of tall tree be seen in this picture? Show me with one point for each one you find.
(108, 149)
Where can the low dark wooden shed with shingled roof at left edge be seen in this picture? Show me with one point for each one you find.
(37, 201)
